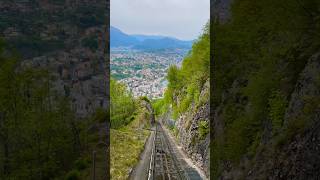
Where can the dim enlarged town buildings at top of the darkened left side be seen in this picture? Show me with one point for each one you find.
(67, 37)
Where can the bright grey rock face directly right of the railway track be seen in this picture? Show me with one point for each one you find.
(192, 132)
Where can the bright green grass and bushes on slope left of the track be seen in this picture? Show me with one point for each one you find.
(129, 120)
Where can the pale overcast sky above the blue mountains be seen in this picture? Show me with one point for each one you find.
(183, 19)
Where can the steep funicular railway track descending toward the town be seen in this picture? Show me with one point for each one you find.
(165, 164)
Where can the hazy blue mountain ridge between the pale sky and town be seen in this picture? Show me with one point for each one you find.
(145, 42)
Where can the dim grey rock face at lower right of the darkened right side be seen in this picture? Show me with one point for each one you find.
(294, 153)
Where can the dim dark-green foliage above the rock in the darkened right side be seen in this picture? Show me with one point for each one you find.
(258, 56)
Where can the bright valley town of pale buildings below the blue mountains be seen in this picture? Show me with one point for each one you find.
(144, 72)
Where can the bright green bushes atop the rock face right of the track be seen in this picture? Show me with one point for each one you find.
(185, 83)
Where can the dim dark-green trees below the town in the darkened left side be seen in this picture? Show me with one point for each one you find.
(40, 135)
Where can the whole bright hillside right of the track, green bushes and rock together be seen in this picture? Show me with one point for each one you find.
(185, 107)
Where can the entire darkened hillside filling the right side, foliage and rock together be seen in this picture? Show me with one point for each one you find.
(266, 88)
